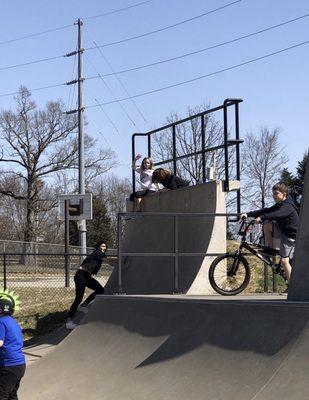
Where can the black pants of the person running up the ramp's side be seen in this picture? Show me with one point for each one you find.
(82, 280)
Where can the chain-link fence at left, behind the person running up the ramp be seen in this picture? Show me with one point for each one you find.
(45, 281)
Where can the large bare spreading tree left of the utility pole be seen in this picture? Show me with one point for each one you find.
(35, 145)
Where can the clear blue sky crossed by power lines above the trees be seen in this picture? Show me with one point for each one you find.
(274, 90)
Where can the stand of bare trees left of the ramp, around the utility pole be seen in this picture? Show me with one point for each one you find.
(39, 161)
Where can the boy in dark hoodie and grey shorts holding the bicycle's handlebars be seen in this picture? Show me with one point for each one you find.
(285, 214)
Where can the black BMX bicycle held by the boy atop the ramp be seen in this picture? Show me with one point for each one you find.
(230, 274)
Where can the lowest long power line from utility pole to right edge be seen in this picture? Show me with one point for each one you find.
(205, 76)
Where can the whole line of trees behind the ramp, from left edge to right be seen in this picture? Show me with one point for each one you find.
(39, 161)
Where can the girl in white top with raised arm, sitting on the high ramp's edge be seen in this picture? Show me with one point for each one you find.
(145, 170)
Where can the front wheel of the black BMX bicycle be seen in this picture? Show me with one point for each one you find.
(229, 274)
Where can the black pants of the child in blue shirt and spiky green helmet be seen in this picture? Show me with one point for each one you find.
(9, 381)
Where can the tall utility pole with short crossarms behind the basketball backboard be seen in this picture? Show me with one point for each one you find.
(81, 139)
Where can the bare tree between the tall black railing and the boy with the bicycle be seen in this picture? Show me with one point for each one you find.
(263, 160)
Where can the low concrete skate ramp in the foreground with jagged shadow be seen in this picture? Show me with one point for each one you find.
(155, 348)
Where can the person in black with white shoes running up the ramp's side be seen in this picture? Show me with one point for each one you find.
(83, 278)
